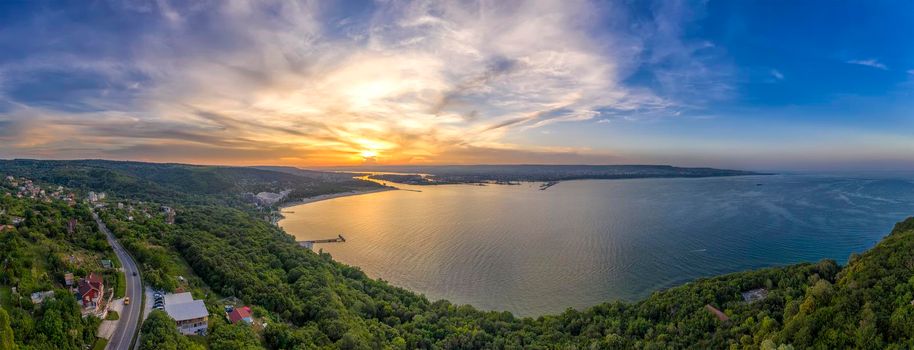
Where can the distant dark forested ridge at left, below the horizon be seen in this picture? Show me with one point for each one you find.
(174, 183)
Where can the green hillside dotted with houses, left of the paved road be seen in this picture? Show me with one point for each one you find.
(43, 238)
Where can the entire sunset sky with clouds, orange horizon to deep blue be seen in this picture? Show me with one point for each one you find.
(759, 85)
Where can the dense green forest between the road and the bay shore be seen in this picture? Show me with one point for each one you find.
(225, 249)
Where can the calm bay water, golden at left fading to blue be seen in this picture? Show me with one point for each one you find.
(581, 243)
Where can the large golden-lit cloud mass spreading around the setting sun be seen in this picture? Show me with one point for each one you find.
(317, 84)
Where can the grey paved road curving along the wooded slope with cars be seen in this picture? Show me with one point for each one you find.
(130, 315)
